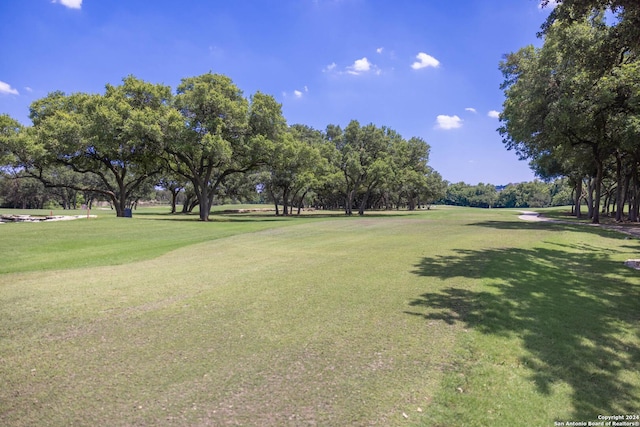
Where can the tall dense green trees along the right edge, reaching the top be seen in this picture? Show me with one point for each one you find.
(572, 106)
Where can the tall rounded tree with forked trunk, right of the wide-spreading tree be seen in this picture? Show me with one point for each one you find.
(221, 134)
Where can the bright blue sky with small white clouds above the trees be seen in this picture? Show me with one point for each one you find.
(425, 68)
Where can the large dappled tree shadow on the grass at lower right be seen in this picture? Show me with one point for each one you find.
(571, 306)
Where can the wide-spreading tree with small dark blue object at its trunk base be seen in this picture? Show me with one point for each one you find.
(106, 144)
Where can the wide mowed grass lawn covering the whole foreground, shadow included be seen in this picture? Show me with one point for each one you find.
(448, 317)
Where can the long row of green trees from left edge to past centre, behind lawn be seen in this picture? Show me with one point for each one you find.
(205, 141)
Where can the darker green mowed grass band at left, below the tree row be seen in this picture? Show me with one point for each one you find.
(107, 240)
